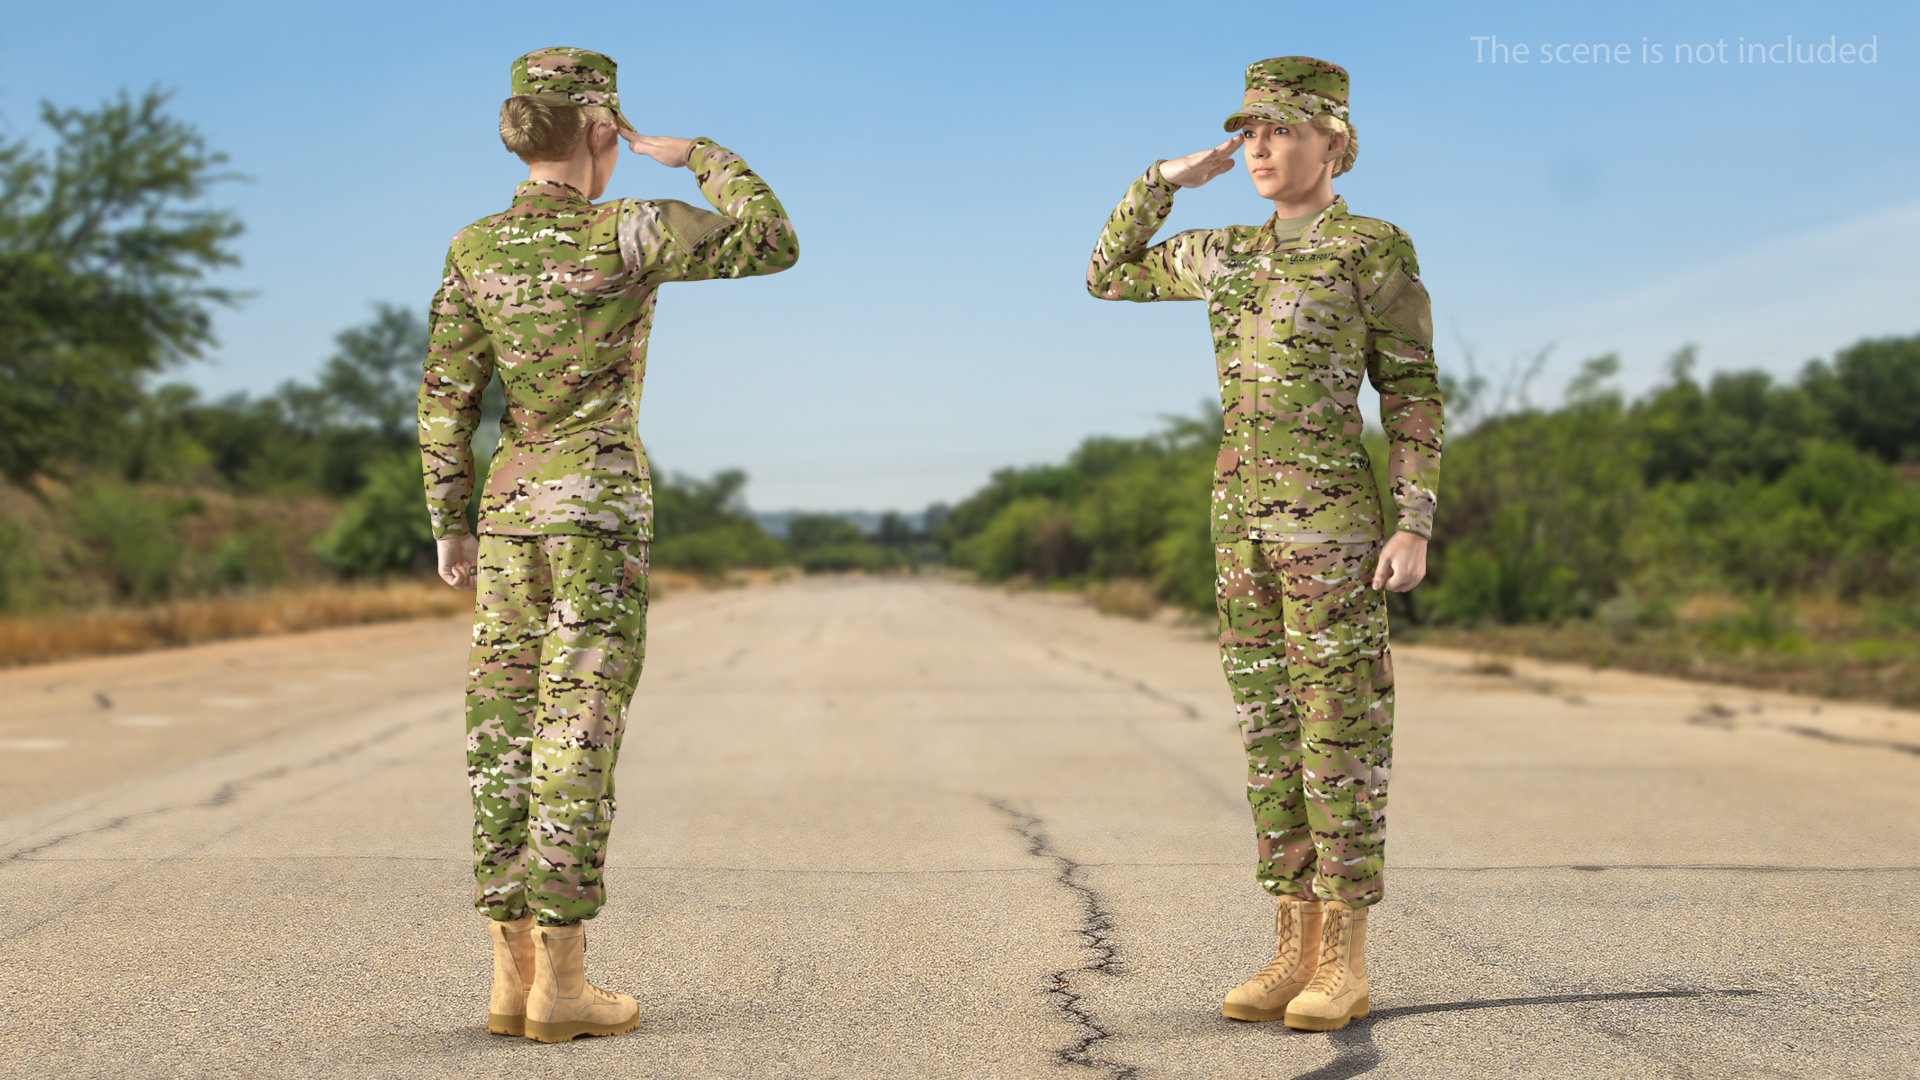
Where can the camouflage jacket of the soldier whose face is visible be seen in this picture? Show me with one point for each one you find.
(1295, 328)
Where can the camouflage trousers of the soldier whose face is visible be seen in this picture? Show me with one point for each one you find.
(1305, 647)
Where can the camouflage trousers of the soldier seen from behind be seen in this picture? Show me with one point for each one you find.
(560, 637)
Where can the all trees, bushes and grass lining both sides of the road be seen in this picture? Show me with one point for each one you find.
(1735, 528)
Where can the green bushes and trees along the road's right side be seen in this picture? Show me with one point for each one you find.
(1737, 528)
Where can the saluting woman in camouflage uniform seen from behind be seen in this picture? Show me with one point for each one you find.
(558, 295)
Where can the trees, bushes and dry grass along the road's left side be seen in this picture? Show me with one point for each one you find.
(137, 514)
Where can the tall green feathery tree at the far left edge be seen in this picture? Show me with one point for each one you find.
(105, 260)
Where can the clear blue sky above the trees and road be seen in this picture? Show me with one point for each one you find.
(949, 168)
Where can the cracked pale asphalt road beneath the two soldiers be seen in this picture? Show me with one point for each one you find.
(919, 829)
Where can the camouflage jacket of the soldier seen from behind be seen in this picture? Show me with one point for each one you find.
(558, 297)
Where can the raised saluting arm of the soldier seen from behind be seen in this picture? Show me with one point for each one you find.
(673, 241)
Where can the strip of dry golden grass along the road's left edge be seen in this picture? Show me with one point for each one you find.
(195, 622)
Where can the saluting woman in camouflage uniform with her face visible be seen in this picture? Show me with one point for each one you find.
(1303, 308)
